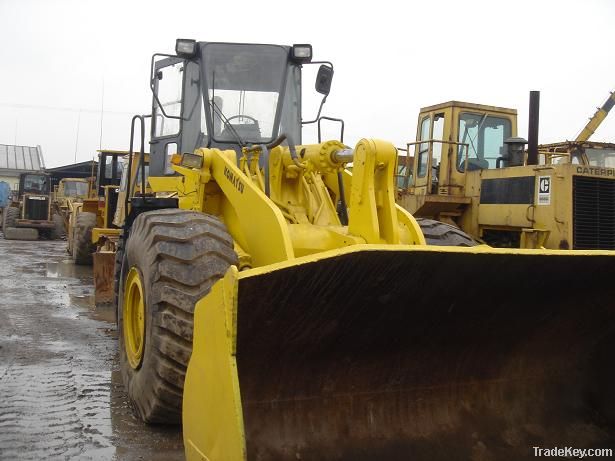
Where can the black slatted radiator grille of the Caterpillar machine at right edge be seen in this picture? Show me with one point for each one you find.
(593, 213)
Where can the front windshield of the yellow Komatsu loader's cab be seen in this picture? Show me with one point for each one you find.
(245, 85)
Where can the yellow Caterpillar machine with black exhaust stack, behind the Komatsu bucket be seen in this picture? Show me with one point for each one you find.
(469, 168)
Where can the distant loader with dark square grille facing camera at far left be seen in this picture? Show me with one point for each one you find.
(30, 213)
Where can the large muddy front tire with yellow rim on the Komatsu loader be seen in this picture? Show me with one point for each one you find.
(176, 256)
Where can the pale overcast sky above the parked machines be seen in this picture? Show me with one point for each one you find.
(391, 58)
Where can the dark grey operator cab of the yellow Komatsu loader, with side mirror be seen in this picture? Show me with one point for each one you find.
(227, 96)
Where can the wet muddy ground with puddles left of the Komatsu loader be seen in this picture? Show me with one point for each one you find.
(61, 395)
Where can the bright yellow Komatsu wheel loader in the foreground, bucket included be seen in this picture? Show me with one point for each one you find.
(284, 308)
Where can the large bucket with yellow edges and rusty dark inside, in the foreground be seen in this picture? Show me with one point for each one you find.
(405, 353)
